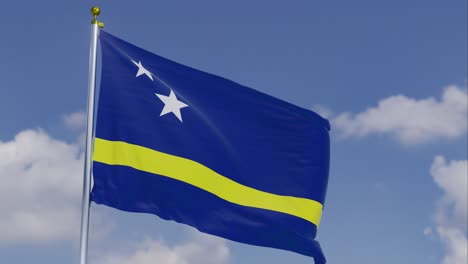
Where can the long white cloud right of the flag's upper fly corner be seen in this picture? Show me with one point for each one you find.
(410, 120)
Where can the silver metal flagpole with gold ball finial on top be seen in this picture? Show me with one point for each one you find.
(95, 24)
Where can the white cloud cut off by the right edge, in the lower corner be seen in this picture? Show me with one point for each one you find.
(451, 212)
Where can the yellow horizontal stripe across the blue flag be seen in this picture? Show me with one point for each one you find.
(198, 175)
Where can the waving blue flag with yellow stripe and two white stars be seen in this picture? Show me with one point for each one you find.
(204, 151)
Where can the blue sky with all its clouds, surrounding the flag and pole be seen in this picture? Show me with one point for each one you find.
(390, 75)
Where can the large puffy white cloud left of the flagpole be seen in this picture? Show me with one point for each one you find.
(40, 188)
